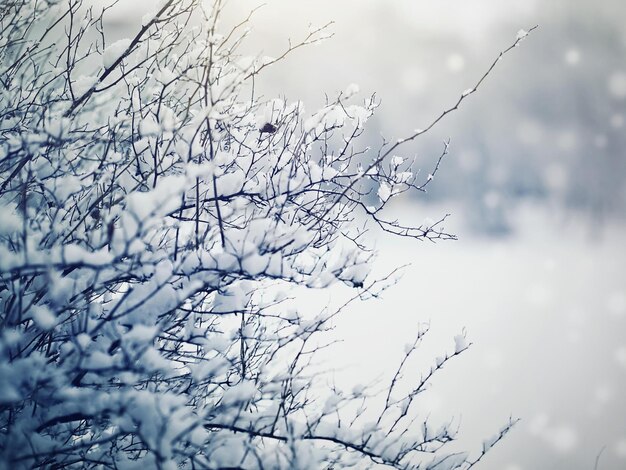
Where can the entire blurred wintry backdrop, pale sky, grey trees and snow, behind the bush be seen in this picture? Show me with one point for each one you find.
(536, 185)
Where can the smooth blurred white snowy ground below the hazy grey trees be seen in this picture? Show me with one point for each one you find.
(546, 312)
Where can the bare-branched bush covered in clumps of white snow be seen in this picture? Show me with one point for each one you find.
(155, 214)
